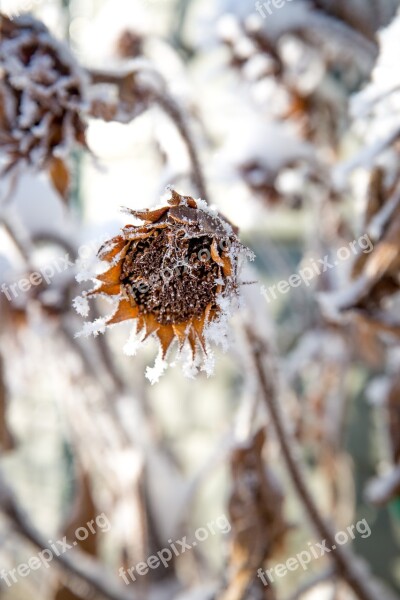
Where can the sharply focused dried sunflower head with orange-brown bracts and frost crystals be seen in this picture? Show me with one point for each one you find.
(175, 274)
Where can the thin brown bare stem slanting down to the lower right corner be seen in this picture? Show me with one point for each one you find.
(346, 563)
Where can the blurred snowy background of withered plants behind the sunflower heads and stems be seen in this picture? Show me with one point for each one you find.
(294, 110)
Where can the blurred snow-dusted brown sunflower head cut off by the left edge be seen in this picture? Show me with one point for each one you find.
(42, 92)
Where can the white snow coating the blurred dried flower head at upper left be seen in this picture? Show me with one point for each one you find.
(32, 135)
